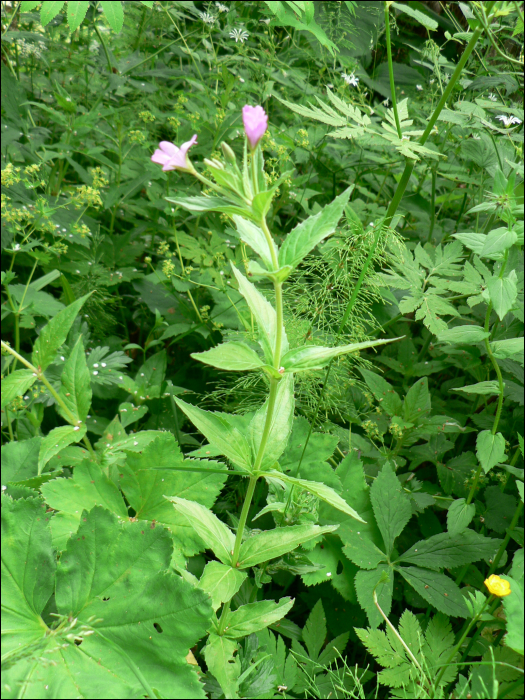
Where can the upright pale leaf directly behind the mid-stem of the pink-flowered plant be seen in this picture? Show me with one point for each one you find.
(280, 426)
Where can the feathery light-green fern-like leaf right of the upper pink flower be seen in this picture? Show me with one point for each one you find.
(352, 123)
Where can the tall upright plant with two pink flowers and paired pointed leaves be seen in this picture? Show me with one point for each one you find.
(255, 450)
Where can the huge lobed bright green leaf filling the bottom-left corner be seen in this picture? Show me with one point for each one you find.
(112, 579)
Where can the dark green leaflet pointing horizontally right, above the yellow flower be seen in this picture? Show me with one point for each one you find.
(448, 550)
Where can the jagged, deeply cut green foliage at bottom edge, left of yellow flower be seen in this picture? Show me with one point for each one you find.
(431, 649)
